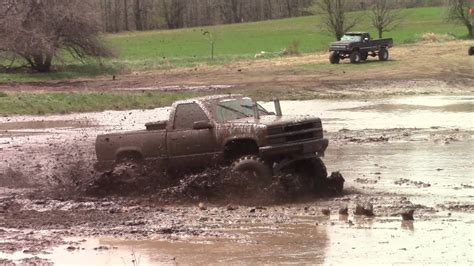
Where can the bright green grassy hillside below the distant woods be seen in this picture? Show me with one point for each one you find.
(273, 36)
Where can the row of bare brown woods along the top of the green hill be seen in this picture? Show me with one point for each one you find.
(138, 15)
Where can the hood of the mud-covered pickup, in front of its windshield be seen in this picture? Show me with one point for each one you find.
(273, 120)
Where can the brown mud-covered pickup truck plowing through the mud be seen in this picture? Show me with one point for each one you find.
(222, 130)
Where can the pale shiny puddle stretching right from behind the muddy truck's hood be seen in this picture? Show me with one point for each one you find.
(451, 112)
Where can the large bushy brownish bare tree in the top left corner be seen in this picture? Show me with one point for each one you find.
(37, 30)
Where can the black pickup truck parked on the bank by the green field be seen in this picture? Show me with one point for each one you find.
(358, 46)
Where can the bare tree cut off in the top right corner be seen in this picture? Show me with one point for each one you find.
(460, 11)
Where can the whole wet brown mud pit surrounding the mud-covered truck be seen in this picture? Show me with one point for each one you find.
(396, 154)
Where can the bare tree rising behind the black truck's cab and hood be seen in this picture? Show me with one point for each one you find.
(334, 16)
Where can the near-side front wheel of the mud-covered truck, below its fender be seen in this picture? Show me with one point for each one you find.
(253, 168)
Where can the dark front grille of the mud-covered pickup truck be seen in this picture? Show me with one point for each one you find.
(294, 133)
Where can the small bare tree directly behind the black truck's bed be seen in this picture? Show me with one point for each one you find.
(384, 17)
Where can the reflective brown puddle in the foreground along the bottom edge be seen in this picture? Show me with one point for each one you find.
(324, 240)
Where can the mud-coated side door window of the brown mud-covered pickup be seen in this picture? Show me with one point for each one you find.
(187, 114)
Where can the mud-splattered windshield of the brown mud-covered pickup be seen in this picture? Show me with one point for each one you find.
(231, 109)
